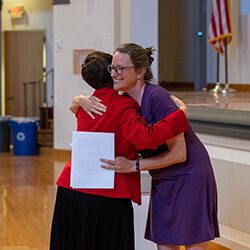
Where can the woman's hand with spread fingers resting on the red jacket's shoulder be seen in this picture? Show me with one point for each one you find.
(90, 104)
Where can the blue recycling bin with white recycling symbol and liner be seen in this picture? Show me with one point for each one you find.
(24, 135)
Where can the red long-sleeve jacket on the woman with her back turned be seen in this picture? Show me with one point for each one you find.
(131, 133)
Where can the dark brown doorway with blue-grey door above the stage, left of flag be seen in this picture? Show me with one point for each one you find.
(182, 44)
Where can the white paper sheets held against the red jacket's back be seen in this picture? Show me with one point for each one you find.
(87, 149)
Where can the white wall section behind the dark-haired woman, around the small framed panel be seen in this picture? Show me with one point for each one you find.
(81, 24)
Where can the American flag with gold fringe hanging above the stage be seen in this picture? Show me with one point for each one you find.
(220, 26)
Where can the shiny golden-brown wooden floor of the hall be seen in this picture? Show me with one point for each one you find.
(27, 191)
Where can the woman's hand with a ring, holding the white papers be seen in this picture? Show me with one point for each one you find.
(120, 165)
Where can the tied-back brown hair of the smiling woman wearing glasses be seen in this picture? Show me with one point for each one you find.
(139, 56)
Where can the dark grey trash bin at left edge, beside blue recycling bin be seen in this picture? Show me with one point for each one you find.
(4, 134)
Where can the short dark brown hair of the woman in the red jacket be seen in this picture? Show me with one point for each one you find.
(94, 70)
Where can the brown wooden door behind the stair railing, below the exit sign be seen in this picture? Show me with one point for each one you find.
(23, 62)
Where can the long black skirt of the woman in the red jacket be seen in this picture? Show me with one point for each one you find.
(91, 222)
